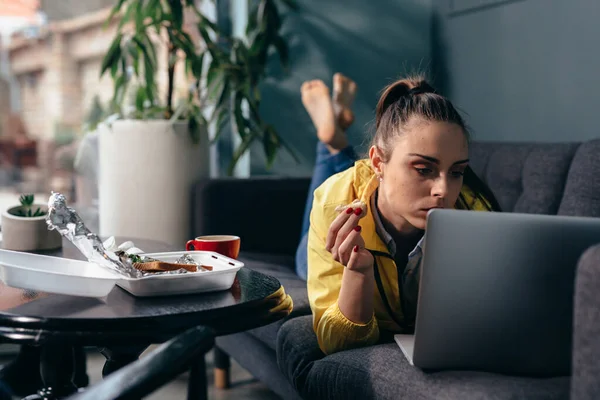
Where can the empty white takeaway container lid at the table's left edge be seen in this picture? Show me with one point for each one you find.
(55, 274)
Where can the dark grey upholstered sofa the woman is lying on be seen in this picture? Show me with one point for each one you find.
(557, 178)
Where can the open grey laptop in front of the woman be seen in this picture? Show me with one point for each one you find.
(496, 292)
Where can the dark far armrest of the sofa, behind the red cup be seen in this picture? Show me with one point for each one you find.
(266, 212)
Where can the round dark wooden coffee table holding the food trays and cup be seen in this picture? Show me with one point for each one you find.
(123, 326)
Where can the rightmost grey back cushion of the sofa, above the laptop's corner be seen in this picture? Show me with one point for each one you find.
(582, 191)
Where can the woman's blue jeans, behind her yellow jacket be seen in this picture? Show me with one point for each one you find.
(326, 166)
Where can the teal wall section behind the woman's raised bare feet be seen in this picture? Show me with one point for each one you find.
(373, 42)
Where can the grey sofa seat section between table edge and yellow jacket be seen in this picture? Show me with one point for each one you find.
(280, 267)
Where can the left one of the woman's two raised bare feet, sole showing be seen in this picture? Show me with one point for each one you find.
(317, 101)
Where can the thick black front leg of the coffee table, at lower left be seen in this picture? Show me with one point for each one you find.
(57, 370)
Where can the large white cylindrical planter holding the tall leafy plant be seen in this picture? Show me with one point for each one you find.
(146, 172)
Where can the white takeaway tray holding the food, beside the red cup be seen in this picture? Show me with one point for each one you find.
(220, 278)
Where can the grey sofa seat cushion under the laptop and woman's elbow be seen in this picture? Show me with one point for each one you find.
(382, 372)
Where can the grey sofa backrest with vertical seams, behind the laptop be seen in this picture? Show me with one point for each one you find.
(541, 178)
